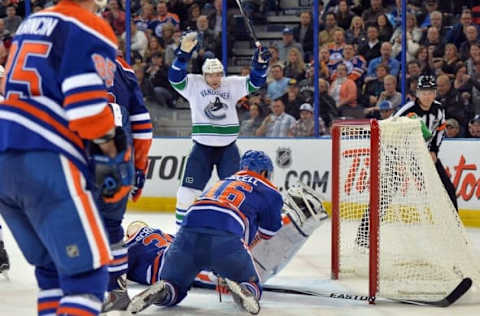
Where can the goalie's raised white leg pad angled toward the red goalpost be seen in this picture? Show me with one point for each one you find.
(303, 212)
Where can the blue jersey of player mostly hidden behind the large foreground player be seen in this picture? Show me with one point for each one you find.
(130, 111)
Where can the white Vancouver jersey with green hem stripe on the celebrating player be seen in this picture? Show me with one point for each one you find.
(214, 114)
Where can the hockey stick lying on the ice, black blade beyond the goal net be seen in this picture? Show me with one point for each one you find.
(451, 298)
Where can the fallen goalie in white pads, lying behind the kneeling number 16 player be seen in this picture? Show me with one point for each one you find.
(302, 213)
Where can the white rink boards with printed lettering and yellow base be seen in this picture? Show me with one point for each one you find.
(308, 160)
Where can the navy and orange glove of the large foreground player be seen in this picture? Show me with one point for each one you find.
(113, 175)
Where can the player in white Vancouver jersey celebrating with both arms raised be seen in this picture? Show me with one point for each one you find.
(215, 126)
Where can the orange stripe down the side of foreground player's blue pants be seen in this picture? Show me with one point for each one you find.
(101, 244)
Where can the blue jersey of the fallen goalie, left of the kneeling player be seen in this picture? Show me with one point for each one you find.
(145, 252)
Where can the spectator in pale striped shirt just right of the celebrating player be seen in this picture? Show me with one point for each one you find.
(278, 123)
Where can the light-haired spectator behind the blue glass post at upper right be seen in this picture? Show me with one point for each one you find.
(414, 35)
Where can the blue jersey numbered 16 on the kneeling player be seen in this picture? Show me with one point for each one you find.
(241, 204)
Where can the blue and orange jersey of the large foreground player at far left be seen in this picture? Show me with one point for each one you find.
(61, 61)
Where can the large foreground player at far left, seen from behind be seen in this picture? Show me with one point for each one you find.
(60, 64)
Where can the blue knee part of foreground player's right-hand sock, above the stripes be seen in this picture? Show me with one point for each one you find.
(92, 282)
